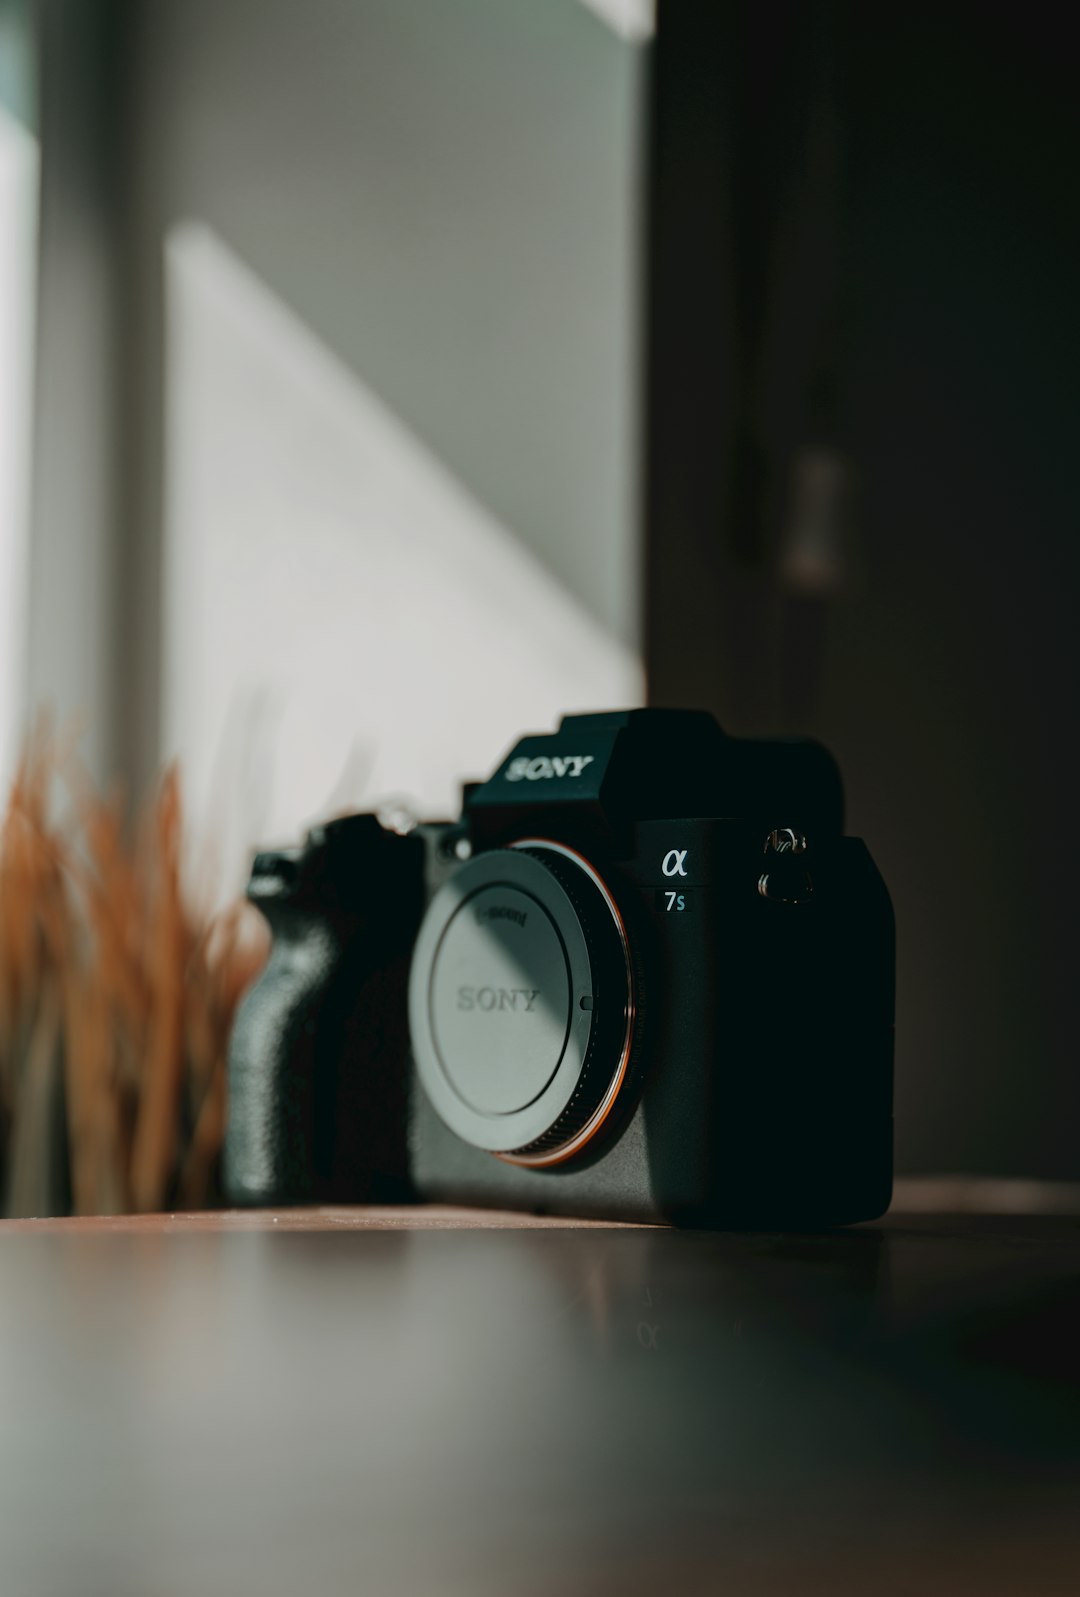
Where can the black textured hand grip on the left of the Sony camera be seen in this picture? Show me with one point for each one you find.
(317, 1061)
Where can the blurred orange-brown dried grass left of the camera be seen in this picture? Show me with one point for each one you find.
(117, 996)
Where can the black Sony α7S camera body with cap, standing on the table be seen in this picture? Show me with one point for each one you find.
(645, 977)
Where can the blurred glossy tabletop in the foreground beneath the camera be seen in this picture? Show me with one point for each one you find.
(435, 1401)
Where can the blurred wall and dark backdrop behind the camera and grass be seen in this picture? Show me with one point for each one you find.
(381, 379)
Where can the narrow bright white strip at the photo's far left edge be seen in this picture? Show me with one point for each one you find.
(18, 258)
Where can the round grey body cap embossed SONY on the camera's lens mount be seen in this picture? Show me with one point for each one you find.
(522, 1004)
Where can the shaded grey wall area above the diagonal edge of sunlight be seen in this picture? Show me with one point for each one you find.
(450, 196)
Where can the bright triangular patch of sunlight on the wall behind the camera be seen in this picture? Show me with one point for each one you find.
(343, 620)
